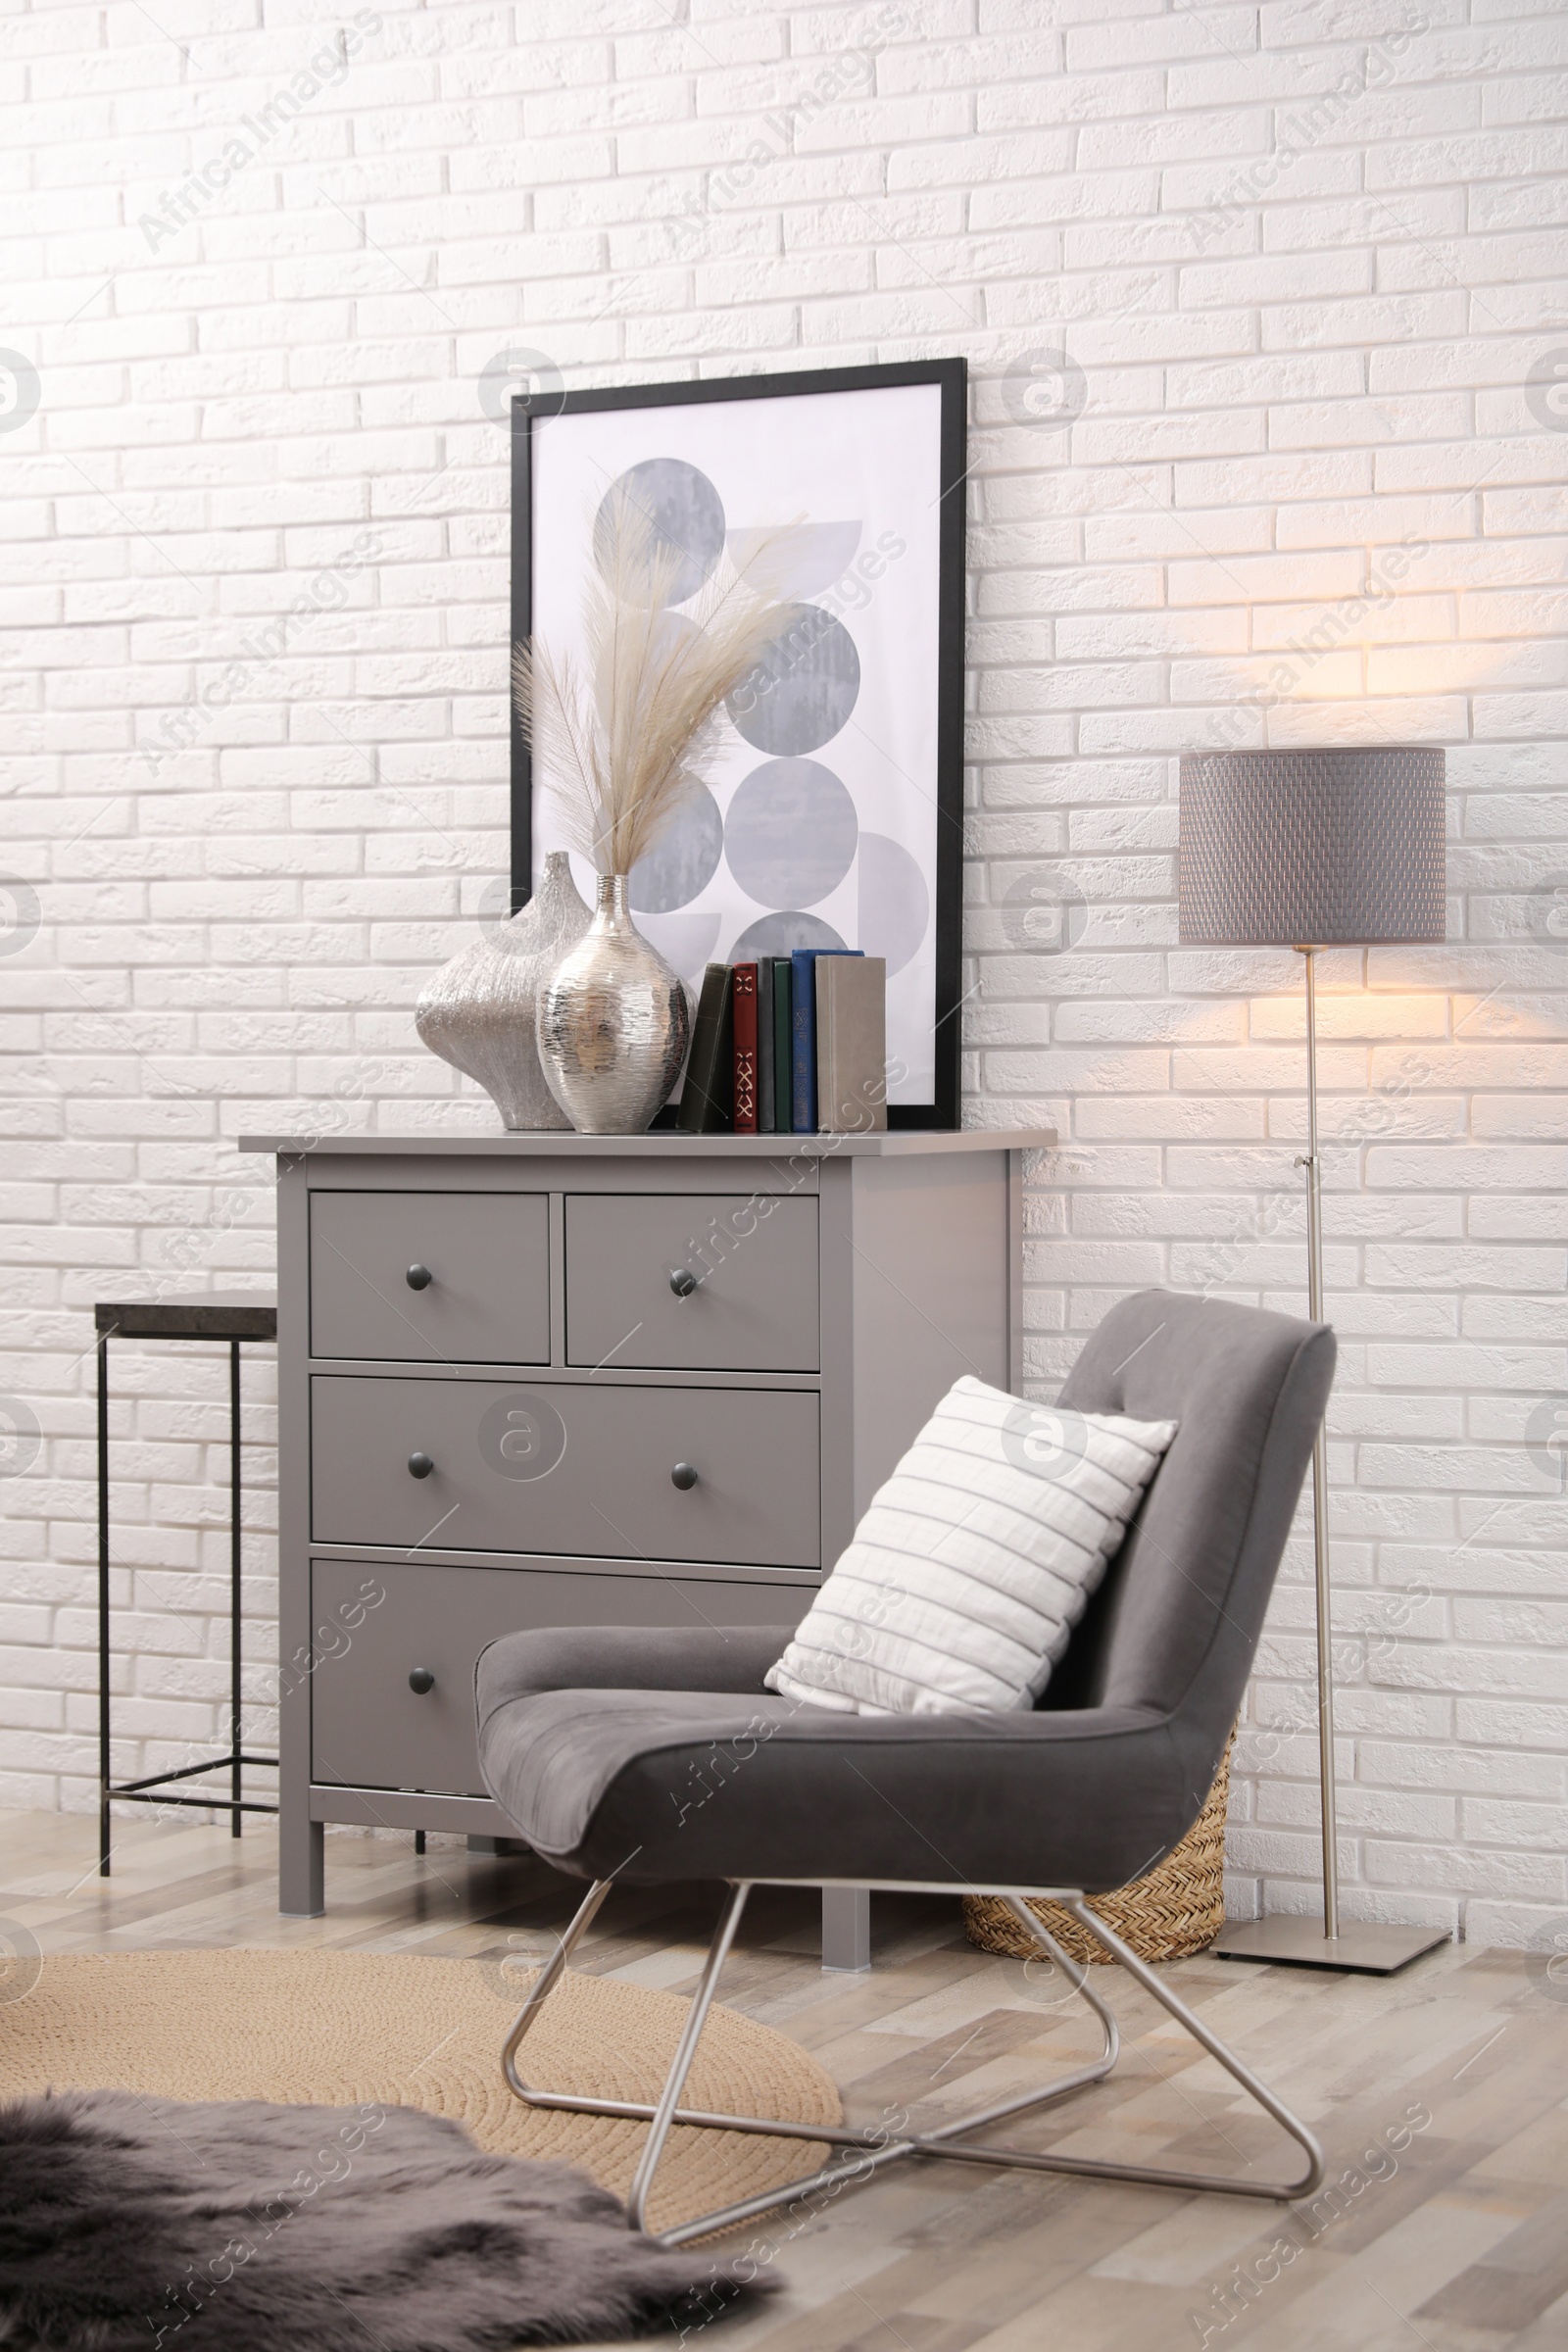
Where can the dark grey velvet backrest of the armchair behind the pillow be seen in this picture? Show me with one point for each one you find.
(1177, 1622)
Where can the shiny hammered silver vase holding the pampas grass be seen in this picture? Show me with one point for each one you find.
(612, 1024)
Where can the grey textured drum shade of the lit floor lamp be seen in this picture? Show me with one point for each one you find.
(1313, 848)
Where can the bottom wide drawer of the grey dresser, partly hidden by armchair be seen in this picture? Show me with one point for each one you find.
(384, 1624)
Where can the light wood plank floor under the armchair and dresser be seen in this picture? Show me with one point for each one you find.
(1442, 2099)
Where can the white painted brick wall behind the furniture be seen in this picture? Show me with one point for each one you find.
(1306, 258)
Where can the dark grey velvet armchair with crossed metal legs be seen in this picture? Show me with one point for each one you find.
(659, 1756)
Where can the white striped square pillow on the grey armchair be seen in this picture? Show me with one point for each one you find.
(974, 1561)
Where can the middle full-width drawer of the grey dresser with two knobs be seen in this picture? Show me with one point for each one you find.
(568, 1469)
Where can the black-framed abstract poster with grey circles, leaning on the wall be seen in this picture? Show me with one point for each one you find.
(833, 813)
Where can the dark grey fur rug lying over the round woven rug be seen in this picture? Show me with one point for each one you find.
(152, 2226)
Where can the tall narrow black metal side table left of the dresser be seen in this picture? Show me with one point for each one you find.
(227, 1318)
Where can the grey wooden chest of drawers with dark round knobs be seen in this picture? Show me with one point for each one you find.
(589, 1379)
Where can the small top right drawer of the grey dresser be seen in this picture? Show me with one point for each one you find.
(692, 1283)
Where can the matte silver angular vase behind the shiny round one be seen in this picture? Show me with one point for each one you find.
(481, 1010)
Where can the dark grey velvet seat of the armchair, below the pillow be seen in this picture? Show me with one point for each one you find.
(605, 1772)
